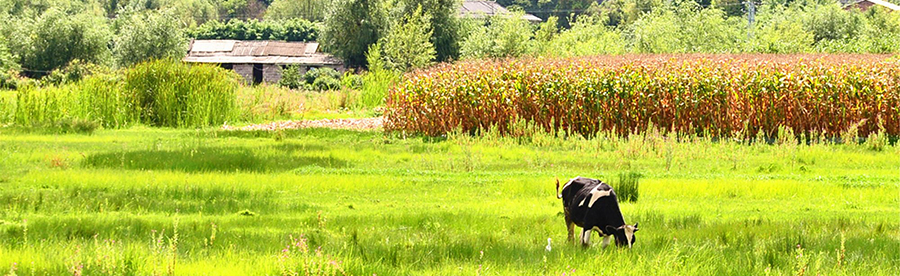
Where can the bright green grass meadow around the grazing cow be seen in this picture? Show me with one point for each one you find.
(144, 201)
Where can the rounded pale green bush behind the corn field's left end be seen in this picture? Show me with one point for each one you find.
(506, 35)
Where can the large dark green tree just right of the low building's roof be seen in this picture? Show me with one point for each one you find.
(351, 26)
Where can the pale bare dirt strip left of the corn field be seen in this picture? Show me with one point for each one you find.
(354, 124)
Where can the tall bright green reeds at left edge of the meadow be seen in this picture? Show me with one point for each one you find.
(157, 93)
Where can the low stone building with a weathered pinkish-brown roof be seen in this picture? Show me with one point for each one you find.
(262, 60)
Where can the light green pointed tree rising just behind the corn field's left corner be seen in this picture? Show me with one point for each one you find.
(408, 43)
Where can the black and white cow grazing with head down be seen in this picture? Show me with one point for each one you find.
(592, 205)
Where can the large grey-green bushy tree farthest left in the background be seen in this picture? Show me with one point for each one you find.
(56, 38)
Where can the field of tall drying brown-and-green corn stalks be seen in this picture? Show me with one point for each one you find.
(710, 95)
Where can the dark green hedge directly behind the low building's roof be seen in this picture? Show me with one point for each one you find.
(288, 30)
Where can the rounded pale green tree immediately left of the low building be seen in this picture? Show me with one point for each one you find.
(149, 35)
